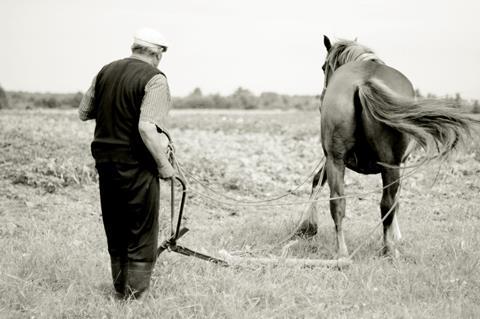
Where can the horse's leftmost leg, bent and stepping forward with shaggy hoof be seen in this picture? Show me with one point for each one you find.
(308, 225)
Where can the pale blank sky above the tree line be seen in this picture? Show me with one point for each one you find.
(220, 45)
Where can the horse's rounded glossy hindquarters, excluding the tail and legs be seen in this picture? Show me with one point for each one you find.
(370, 137)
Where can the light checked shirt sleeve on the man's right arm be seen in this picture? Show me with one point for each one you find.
(156, 102)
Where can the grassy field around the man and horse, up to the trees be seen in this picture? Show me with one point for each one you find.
(54, 261)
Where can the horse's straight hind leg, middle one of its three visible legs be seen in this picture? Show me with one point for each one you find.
(335, 169)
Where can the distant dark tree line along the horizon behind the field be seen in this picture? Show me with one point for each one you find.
(240, 99)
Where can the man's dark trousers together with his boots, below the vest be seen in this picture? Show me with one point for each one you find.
(129, 196)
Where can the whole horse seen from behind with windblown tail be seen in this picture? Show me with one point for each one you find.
(370, 123)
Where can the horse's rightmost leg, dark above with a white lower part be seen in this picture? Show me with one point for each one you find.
(390, 179)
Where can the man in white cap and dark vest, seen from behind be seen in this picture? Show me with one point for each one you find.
(130, 99)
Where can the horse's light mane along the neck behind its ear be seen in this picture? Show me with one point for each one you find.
(345, 51)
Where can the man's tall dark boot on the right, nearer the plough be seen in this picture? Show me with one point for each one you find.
(138, 278)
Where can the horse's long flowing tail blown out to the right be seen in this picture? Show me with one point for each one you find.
(436, 125)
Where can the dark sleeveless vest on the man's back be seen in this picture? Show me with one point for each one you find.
(119, 91)
